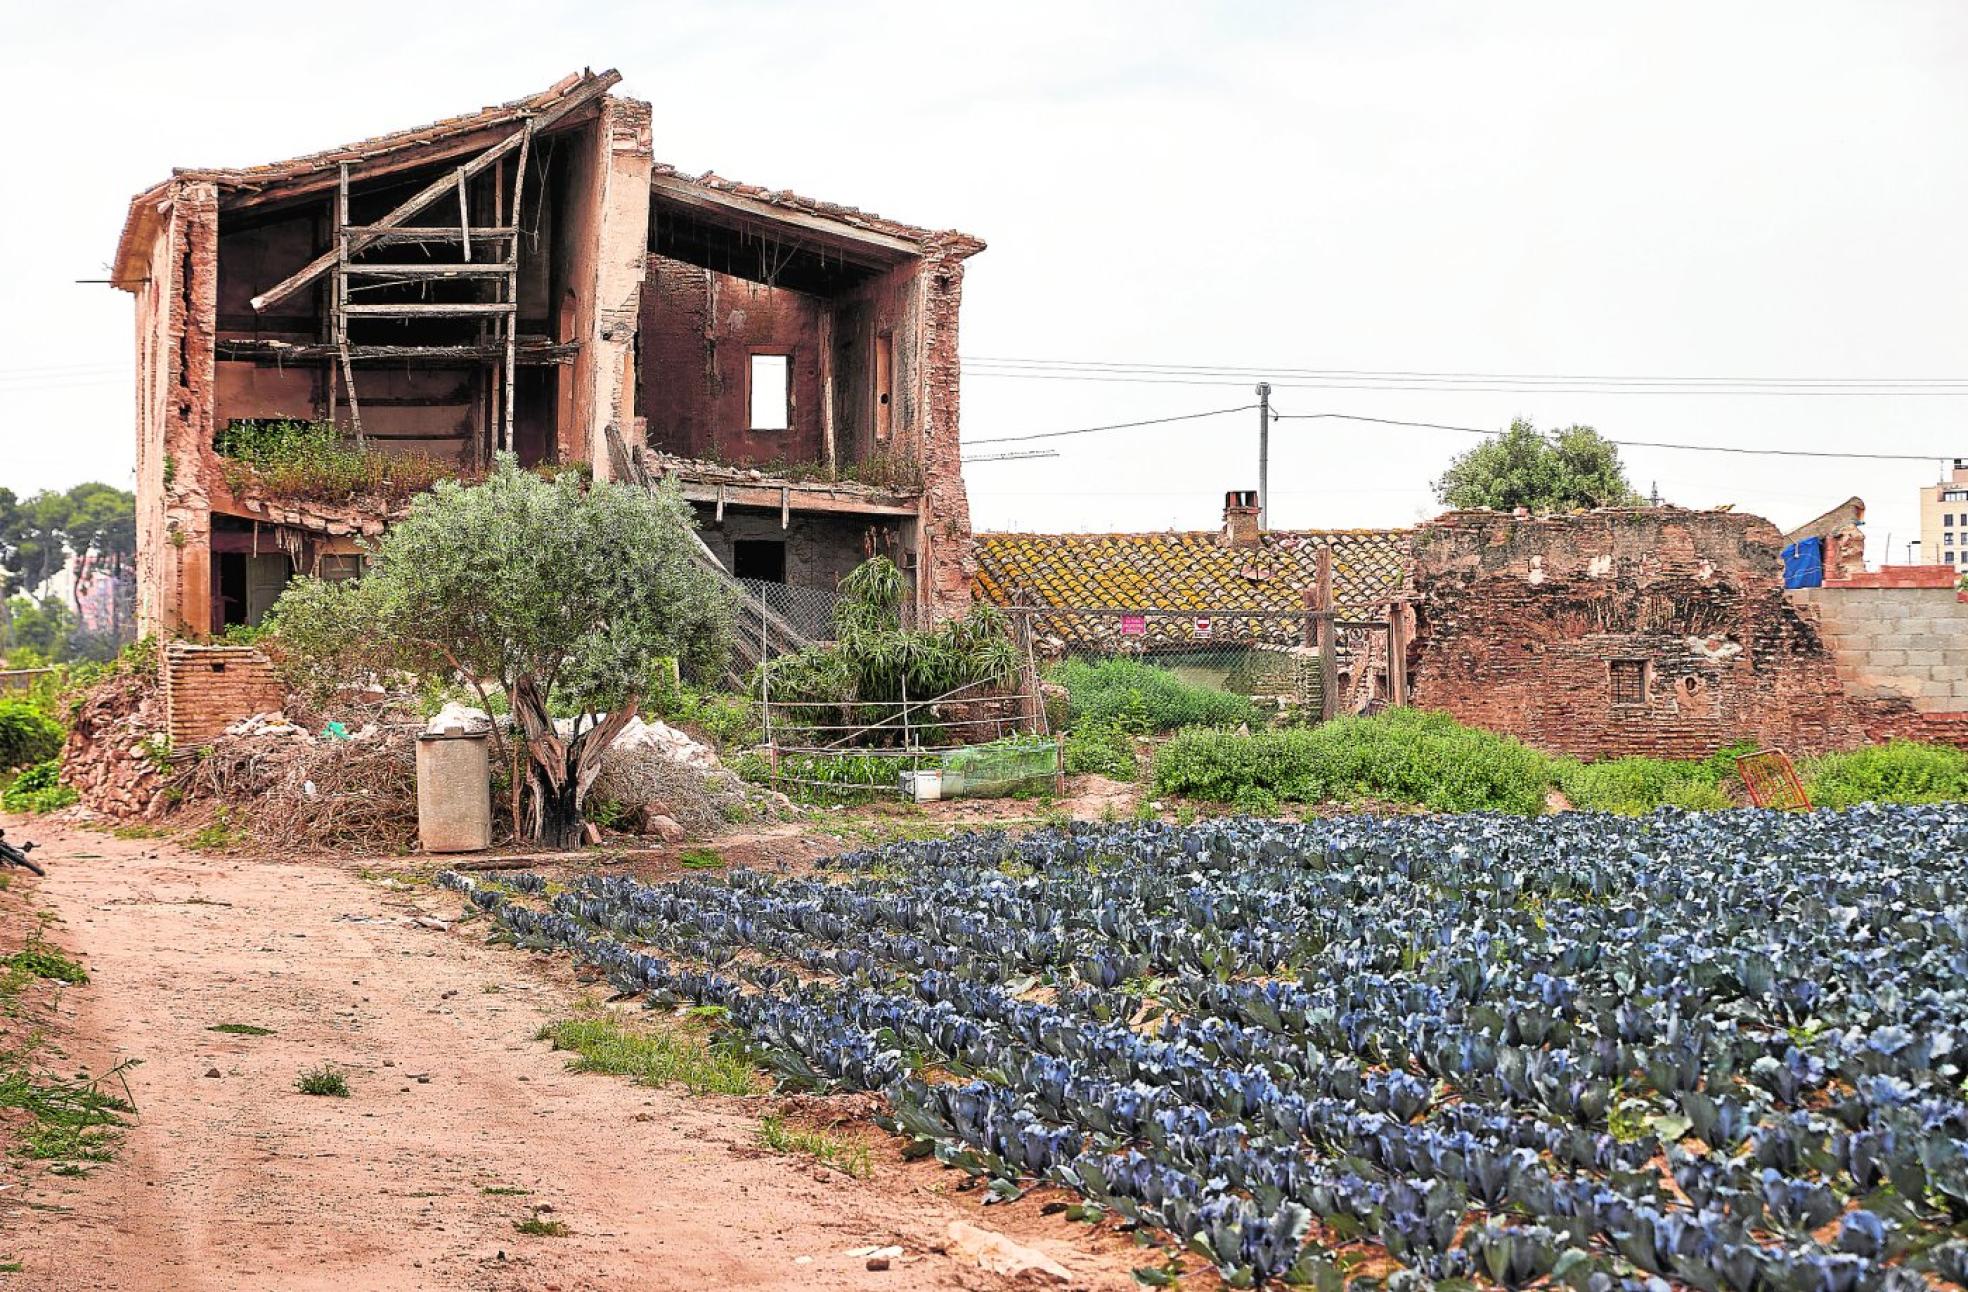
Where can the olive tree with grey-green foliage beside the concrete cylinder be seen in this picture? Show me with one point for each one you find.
(564, 595)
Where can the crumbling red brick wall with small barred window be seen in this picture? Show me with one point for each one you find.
(1524, 626)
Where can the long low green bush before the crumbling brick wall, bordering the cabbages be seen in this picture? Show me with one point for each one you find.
(1404, 756)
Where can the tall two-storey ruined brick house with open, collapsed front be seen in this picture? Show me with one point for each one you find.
(526, 278)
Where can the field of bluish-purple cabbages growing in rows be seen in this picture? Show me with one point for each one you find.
(1713, 1051)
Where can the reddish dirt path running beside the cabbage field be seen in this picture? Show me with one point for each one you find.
(237, 1181)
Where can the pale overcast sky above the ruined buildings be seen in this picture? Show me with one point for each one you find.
(1638, 190)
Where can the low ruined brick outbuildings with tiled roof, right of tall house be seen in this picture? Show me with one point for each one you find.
(1599, 634)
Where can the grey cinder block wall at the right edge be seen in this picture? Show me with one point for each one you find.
(1906, 644)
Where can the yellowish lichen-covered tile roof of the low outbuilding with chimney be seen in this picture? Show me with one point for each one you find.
(1192, 573)
